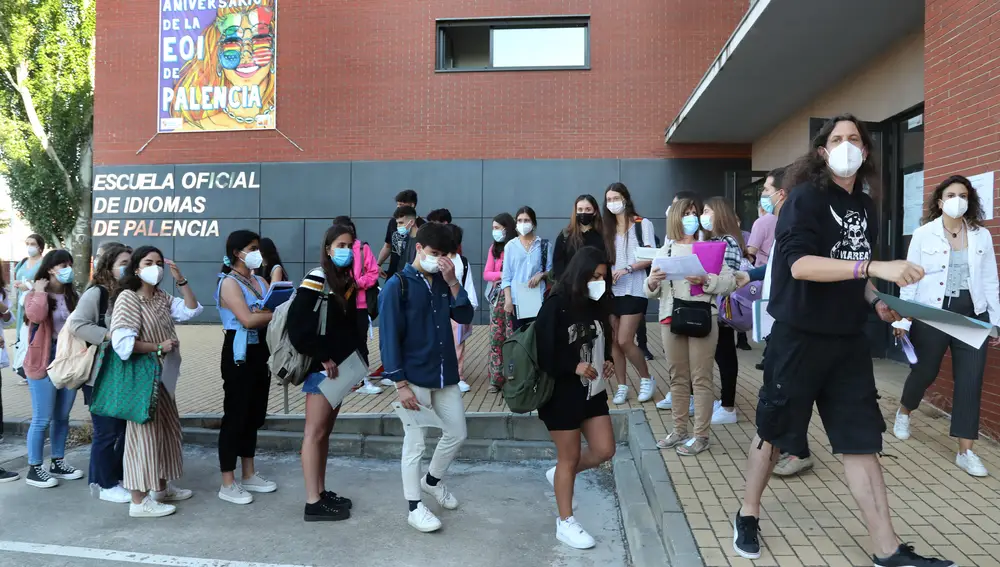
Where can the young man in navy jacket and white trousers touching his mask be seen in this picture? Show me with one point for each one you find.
(416, 307)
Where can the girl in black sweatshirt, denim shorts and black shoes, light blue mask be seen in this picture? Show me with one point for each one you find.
(327, 291)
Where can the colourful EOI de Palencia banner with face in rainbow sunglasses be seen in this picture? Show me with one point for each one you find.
(217, 65)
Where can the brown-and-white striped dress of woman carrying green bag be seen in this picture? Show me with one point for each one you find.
(152, 450)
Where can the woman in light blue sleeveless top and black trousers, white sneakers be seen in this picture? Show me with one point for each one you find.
(246, 381)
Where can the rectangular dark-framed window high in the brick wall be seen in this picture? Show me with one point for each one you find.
(513, 44)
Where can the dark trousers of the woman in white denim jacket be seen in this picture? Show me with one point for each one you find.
(968, 365)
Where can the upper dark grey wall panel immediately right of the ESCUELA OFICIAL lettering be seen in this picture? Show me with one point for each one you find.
(305, 190)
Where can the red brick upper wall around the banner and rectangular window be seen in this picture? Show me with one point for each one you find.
(356, 81)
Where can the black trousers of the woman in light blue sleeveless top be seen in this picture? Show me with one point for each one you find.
(244, 405)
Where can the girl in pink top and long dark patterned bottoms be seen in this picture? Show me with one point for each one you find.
(501, 322)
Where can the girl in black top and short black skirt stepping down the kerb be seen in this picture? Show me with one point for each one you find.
(574, 345)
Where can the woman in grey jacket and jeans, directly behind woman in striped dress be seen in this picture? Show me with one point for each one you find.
(90, 323)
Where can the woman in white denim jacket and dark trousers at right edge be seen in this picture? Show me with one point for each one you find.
(960, 268)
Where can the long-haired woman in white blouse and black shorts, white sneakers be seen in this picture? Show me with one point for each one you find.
(624, 232)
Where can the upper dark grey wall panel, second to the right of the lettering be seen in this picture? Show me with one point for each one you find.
(453, 185)
